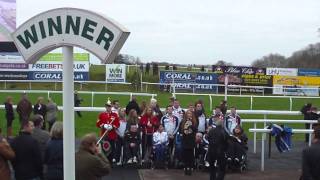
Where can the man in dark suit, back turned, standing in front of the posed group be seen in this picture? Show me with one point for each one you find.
(218, 145)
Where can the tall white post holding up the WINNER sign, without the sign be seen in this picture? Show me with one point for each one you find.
(68, 114)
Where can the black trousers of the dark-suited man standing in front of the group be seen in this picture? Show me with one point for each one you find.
(217, 172)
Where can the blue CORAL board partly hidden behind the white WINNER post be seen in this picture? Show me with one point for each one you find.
(54, 76)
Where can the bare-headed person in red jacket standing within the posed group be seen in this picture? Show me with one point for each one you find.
(148, 124)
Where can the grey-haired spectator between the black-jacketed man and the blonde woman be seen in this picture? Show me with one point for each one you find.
(39, 134)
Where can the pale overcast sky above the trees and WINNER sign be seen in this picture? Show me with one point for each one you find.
(203, 31)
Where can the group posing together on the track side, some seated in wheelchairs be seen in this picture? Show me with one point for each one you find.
(173, 138)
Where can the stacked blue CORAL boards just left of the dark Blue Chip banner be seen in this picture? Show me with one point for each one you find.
(190, 81)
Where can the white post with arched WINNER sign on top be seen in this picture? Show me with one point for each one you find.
(68, 27)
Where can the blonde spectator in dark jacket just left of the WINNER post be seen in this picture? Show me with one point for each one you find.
(54, 153)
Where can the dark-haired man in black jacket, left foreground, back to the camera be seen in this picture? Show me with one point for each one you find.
(28, 162)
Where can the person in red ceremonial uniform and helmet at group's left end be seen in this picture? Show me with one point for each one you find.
(109, 121)
